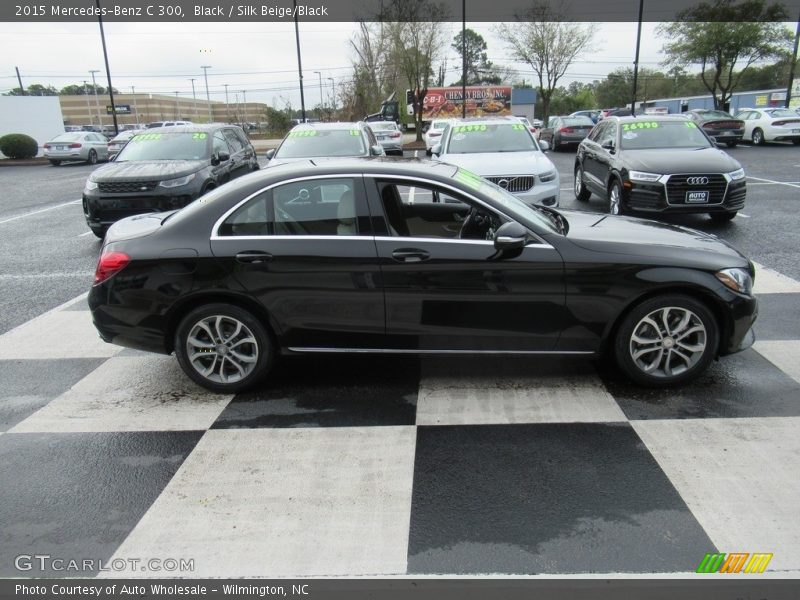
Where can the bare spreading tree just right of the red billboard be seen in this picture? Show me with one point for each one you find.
(546, 39)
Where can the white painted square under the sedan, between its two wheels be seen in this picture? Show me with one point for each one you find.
(479, 392)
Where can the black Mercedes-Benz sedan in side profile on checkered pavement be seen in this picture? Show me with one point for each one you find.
(411, 256)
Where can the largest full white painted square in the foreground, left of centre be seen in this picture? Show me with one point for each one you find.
(285, 503)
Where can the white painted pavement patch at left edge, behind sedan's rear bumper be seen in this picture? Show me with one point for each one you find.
(59, 334)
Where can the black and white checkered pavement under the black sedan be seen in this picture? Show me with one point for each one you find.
(354, 466)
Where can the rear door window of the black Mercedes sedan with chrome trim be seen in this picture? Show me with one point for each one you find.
(332, 207)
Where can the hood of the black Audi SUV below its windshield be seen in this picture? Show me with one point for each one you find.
(680, 160)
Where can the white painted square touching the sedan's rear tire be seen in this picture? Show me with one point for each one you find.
(130, 394)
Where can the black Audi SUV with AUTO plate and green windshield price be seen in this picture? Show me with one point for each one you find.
(658, 165)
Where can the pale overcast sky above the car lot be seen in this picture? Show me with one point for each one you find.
(257, 57)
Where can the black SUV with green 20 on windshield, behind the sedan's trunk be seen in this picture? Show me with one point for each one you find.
(165, 169)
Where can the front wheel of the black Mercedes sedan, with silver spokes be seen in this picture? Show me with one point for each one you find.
(662, 366)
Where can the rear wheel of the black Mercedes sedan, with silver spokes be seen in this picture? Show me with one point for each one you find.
(223, 375)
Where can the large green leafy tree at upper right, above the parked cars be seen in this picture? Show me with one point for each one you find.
(724, 35)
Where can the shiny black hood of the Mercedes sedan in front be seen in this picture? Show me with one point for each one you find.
(653, 239)
